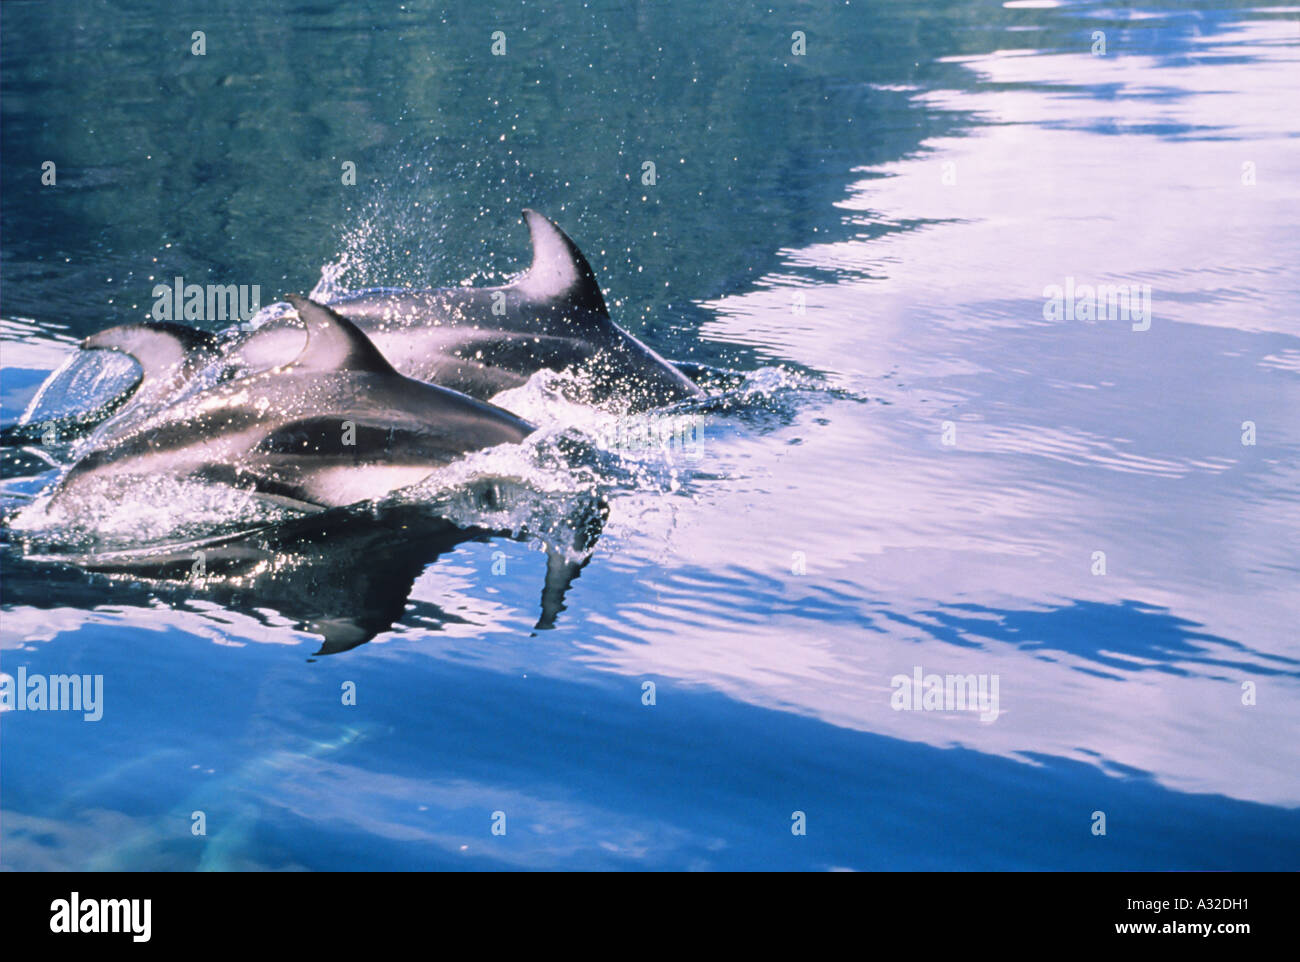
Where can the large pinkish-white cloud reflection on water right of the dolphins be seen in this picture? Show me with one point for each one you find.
(1073, 436)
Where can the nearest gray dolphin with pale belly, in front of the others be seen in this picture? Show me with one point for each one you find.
(333, 427)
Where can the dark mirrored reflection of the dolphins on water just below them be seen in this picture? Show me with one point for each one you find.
(344, 575)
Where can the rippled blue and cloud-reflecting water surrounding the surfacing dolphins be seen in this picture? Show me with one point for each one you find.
(913, 465)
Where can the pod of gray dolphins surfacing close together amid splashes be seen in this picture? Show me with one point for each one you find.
(369, 395)
